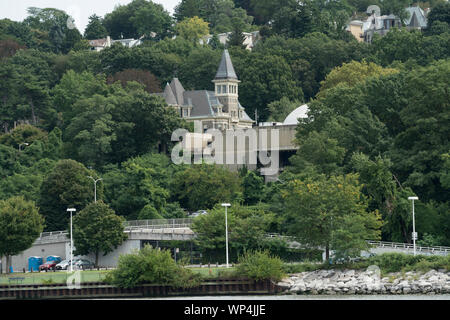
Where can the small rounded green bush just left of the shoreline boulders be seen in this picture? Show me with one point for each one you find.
(260, 265)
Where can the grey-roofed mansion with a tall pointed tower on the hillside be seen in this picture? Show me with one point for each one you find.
(218, 109)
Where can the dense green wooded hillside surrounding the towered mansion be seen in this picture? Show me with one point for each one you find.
(378, 128)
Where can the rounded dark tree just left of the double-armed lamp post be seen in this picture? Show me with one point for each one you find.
(66, 186)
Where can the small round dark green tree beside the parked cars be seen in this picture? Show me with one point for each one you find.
(97, 229)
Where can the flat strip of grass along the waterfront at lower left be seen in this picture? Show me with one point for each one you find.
(52, 277)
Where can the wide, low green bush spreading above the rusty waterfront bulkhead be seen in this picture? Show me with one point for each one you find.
(151, 266)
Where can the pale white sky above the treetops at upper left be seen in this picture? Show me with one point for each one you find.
(80, 10)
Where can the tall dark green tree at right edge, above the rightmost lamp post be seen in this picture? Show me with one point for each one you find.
(416, 151)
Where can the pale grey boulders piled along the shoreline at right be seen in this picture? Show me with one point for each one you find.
(367, 281)
